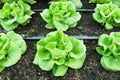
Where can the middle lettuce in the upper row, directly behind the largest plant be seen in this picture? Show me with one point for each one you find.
(61, 15)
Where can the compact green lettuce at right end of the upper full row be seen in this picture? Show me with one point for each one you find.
(108, 15)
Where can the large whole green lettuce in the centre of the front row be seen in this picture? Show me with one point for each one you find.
(57, 52)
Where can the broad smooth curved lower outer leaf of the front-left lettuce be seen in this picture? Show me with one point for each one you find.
(14, 54)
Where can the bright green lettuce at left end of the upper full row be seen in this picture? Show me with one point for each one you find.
(13, 14)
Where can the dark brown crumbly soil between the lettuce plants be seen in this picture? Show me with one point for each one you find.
(91, 70)
